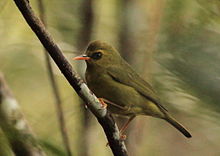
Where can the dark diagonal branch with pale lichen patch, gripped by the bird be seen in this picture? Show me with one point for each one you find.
(105, 119)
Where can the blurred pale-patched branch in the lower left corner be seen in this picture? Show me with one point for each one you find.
(16, 128)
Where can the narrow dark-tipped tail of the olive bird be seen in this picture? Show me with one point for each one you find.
(178, 126)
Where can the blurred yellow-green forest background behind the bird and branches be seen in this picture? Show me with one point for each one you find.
(173, 44)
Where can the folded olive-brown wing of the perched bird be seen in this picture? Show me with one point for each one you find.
(130, 78)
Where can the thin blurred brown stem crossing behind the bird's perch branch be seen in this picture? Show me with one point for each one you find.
(58, 103)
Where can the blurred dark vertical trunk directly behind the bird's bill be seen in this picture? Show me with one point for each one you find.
(83, 38)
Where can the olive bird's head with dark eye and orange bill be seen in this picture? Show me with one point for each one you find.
(99, 54)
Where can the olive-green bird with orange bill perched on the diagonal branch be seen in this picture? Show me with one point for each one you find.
(113, 80)
